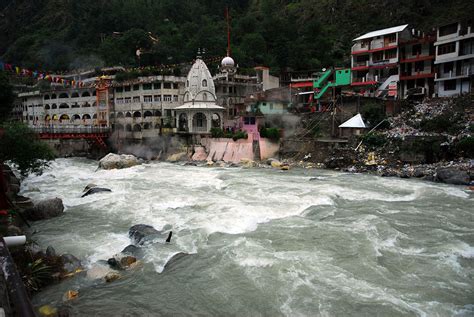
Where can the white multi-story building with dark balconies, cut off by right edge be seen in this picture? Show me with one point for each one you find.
(454, 59)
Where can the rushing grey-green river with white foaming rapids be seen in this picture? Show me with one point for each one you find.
(262, 242)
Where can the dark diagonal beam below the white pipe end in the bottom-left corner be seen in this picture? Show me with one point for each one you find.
(16, 289)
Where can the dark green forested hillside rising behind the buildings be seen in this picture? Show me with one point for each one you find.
(299, 34)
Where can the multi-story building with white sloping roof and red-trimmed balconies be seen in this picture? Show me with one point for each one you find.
(375, 62)
